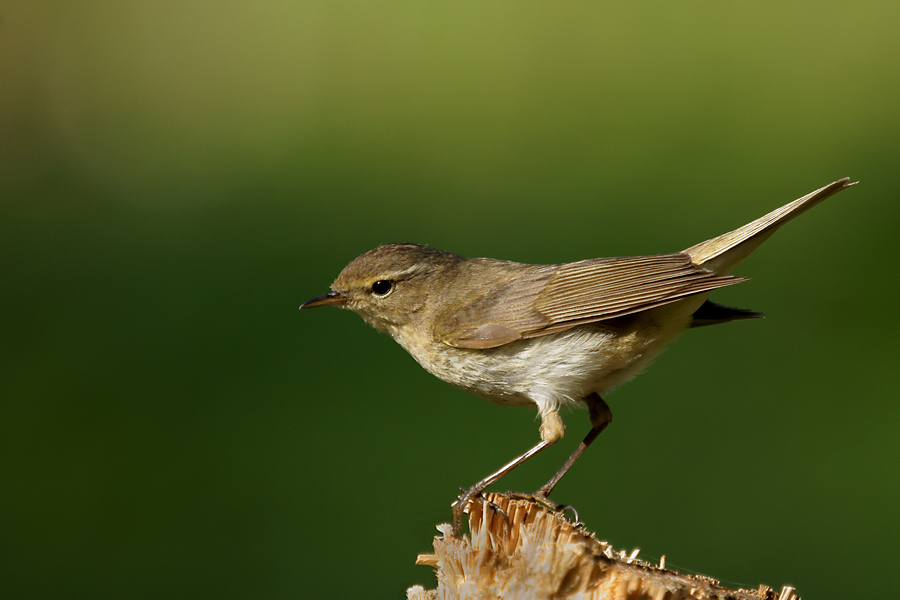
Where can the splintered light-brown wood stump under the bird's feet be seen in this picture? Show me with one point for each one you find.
(518, 549)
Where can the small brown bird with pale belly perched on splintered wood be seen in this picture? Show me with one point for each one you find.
(548, 336)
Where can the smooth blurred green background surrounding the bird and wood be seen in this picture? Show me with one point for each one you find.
(178, 177)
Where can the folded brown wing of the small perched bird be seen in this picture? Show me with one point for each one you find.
(553, 298)
